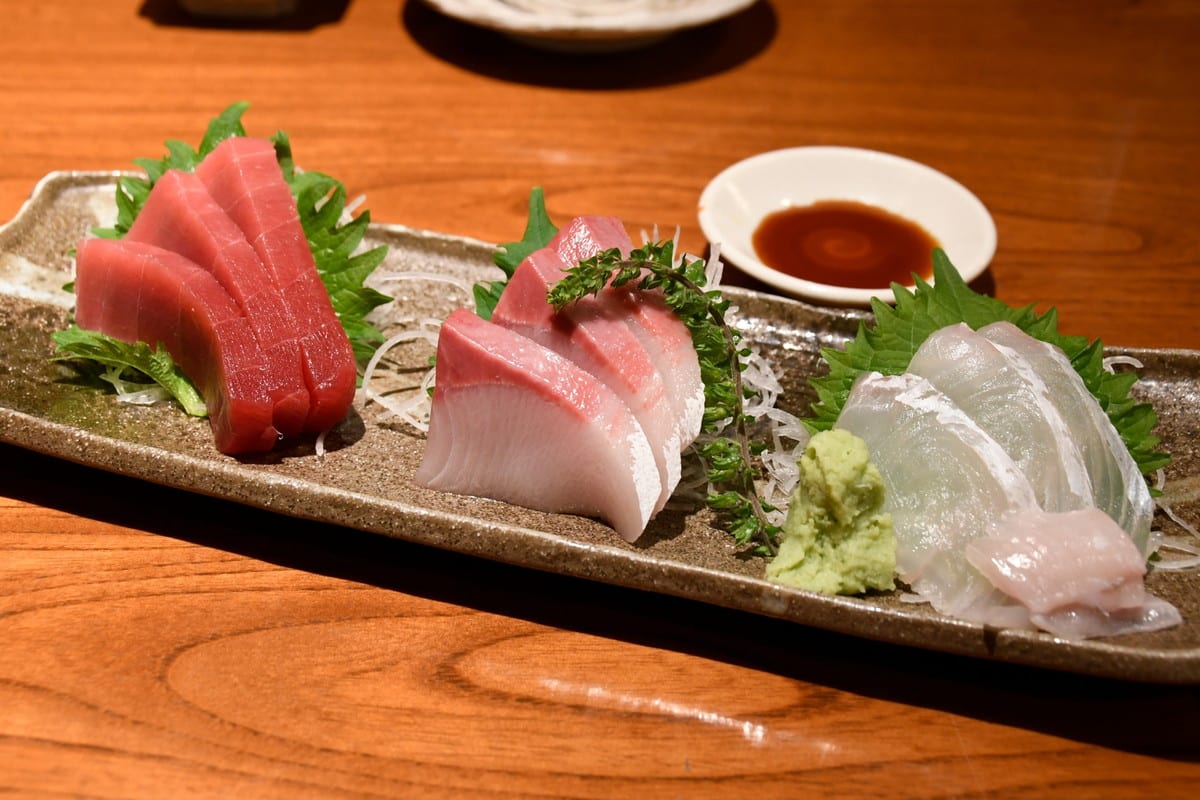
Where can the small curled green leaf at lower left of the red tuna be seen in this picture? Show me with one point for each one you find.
(122, 362)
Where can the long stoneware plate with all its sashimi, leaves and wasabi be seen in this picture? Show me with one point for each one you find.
(941, 471)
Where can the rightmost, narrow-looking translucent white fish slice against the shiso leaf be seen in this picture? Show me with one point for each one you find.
(1118, 485)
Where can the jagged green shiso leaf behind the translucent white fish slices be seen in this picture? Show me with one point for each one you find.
(890, 345)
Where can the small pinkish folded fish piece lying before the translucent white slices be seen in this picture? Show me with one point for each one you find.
(1077, 573)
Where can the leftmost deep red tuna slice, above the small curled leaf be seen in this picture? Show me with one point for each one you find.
(137, 292)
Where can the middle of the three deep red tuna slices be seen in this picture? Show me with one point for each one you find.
(182, 216)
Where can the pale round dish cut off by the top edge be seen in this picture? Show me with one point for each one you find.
(589, 25)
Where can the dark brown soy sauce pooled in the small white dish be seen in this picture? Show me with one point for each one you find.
(845, 244)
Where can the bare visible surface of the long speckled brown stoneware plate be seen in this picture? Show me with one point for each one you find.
(365, 479)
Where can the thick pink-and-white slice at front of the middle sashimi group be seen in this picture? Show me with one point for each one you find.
(515, 422)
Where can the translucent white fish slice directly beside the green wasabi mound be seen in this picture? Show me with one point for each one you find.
(947, 483)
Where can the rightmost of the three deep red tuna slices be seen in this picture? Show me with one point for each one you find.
(244, 177)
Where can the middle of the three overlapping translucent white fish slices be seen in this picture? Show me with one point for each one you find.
(998, 389)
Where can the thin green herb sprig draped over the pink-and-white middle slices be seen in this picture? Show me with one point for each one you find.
(729, 453)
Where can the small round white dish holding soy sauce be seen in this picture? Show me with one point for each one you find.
(872, 206)
